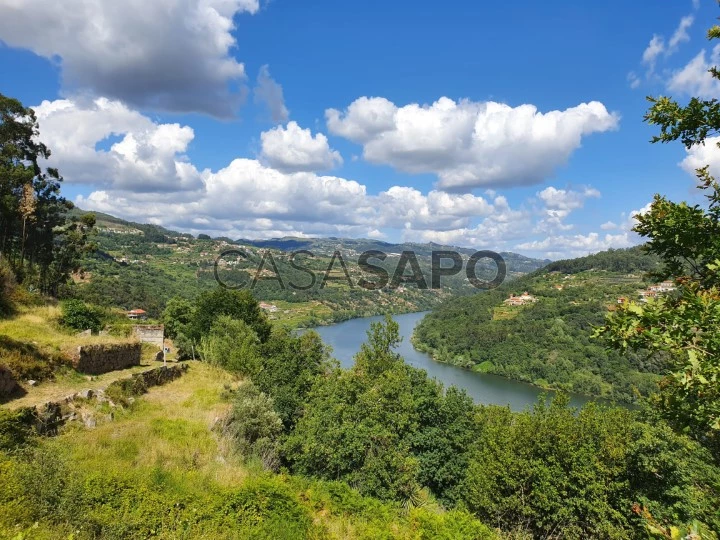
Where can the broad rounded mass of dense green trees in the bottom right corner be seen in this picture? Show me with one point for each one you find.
(593, 473)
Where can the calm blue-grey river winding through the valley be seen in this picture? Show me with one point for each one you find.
(345, 339)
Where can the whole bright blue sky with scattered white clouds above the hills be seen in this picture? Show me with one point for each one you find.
(512, 126)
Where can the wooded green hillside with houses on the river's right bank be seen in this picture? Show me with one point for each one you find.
(549, 342)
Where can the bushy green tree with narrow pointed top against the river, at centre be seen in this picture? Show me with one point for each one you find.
(358, 421)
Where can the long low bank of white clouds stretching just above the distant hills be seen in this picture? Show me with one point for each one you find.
(139, 169)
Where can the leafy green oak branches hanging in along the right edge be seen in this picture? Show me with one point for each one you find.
(687, 239)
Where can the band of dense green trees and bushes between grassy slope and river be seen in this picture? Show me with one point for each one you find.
(387, 430)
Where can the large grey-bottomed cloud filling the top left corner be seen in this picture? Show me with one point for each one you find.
(161, 54)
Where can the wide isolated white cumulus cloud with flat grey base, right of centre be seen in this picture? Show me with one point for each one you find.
(469, 144)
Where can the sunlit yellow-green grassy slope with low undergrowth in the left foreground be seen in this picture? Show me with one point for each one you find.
(157, 471)
